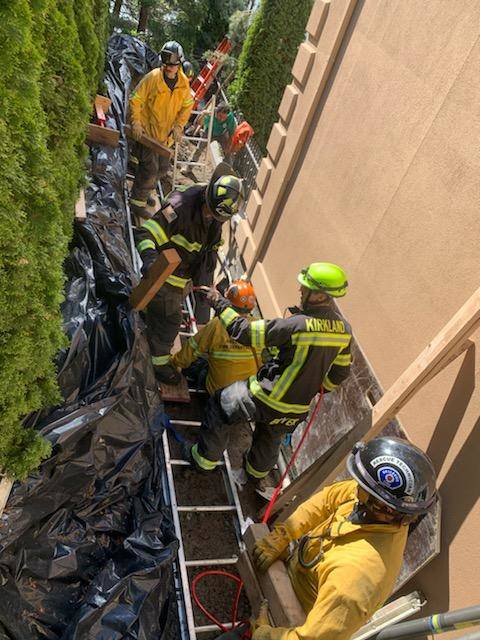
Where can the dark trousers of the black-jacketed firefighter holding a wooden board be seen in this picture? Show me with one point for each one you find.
(163, 319)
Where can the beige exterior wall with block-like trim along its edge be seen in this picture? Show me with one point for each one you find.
(375, 165)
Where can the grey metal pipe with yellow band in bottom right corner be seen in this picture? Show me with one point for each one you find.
(437, 623)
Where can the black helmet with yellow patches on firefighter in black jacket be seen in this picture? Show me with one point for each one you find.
(224, 195)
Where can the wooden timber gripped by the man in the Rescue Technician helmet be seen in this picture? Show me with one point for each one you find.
(285, 609)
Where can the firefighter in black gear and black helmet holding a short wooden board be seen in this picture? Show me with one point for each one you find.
(190, 221)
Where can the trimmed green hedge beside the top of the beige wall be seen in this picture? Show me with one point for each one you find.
(265, 64)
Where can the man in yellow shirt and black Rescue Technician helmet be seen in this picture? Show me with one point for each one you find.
(351, 538)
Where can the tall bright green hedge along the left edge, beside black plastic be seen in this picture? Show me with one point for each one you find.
(51, 55)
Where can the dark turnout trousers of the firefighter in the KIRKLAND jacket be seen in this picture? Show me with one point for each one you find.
(230, 406)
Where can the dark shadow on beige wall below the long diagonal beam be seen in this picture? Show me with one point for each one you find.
(459, 488)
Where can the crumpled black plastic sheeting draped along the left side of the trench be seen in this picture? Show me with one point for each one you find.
(86, 543)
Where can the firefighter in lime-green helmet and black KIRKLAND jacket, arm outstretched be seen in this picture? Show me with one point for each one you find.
(312, 349)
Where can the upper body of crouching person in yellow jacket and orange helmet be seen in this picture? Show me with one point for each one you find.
(228, 360)
